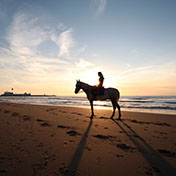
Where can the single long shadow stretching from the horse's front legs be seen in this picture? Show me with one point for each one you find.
(78, 153)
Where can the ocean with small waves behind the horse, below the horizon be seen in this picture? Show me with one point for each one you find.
(151, 104)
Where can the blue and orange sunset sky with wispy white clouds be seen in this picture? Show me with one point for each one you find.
(46, 45)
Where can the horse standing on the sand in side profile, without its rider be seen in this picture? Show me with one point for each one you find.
(109, 93)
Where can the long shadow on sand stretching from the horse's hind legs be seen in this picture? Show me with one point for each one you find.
(155, 160)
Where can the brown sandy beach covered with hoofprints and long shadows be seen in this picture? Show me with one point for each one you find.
(54, 140)
